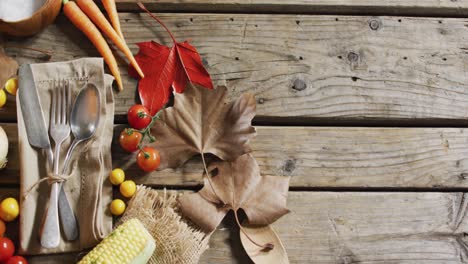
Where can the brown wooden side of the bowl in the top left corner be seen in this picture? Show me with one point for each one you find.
(43, 17)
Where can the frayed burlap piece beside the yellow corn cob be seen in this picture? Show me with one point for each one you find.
(177, 241)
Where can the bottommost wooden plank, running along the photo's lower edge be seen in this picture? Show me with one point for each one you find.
(327, 227)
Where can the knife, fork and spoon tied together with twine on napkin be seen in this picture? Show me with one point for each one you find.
(81, 119)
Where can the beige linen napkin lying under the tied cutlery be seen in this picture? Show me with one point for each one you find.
(87, 189)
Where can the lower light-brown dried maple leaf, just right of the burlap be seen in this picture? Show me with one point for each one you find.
(239, 185)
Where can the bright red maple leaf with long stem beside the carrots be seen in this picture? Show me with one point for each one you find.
(166, 69)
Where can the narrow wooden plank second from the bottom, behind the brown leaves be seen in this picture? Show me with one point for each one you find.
(325, 157)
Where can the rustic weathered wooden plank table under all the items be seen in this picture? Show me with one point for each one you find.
(364, 104)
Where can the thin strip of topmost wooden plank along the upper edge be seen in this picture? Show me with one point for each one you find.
(355, 7)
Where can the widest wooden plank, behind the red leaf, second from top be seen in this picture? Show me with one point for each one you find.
(306, 67)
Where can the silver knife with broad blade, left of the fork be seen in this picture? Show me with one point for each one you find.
(38, 137)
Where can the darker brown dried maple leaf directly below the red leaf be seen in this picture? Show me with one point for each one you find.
(201, 122)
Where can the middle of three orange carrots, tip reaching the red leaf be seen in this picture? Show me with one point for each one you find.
(94, 13)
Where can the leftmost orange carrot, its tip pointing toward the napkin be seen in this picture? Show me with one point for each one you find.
(82, 22)
